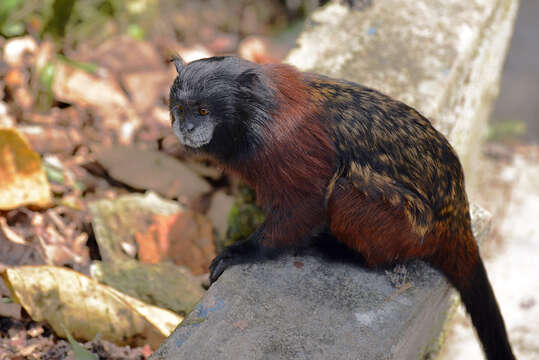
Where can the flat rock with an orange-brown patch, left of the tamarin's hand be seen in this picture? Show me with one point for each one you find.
(159, 229)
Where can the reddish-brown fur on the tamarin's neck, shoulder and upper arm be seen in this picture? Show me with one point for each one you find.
(294, 192)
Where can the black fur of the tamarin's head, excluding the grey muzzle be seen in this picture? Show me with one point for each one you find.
(238, 98)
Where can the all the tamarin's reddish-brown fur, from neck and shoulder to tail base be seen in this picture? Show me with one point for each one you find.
(294, 193)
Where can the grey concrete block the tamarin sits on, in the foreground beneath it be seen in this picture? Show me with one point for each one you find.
(308, 308)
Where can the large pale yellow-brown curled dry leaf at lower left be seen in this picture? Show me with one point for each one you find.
(63, 297)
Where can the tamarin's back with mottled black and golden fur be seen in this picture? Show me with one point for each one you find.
(387, 146)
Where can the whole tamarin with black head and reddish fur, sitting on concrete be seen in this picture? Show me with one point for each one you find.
(332, 155)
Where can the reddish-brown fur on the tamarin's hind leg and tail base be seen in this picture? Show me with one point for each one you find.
(383, 234)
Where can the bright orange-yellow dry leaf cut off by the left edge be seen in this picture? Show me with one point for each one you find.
(22, 179)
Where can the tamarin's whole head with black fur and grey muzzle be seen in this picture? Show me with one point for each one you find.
(220, 105)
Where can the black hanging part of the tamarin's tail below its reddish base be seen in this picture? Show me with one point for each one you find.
(478, 298)
